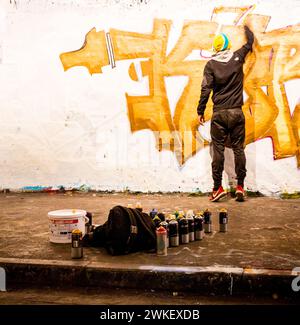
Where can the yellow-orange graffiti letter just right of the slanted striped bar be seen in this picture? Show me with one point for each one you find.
(152, 111)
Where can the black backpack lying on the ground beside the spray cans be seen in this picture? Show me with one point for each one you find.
(126, 231)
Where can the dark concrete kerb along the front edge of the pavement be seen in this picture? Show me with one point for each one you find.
(221, 280)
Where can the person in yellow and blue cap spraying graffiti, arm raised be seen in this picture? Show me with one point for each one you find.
(223, 75)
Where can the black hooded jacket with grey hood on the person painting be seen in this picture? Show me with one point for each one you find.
(223, 74)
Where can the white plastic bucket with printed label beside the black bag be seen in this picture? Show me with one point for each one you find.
(63, 222)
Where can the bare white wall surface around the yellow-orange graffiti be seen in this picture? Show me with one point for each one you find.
(71, 128)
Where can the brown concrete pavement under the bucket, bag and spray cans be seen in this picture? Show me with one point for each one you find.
(263, 232)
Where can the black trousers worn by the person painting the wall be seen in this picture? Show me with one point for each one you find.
(228, 124)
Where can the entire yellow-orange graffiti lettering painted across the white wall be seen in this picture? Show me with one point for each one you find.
(275, 60)
